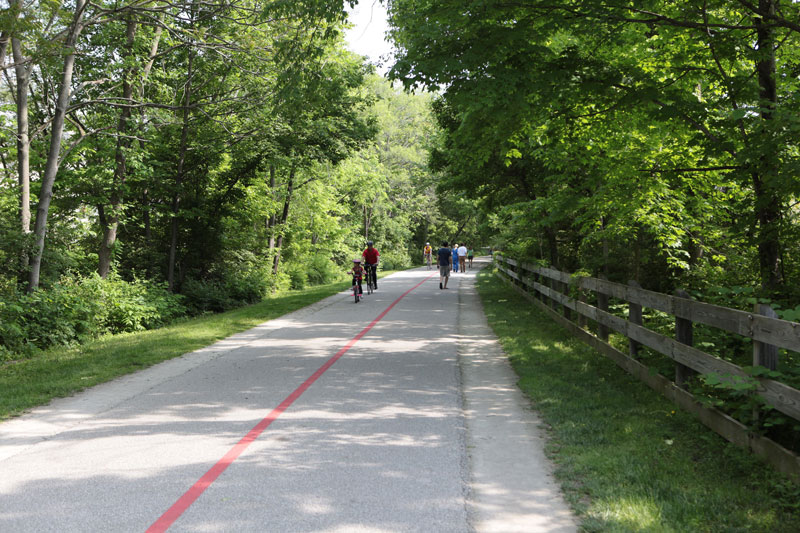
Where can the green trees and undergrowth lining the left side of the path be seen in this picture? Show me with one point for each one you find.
(234, 152)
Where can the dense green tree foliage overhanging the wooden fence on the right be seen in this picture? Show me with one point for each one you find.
(601, 140)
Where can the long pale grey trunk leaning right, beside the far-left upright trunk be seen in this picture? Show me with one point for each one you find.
(57, 130)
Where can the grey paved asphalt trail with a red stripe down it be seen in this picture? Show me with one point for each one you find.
(418, 426)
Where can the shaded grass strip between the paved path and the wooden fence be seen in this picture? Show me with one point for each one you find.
(627, 459)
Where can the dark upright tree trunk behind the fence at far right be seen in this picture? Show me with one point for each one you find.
(767, 201)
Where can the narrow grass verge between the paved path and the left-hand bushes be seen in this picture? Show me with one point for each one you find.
(63, 371)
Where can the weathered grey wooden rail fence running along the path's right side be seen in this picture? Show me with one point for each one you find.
(550, 288)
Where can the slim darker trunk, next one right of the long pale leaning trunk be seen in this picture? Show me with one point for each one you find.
(111, 225)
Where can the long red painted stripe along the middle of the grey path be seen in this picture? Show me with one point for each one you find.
(189, 497)
